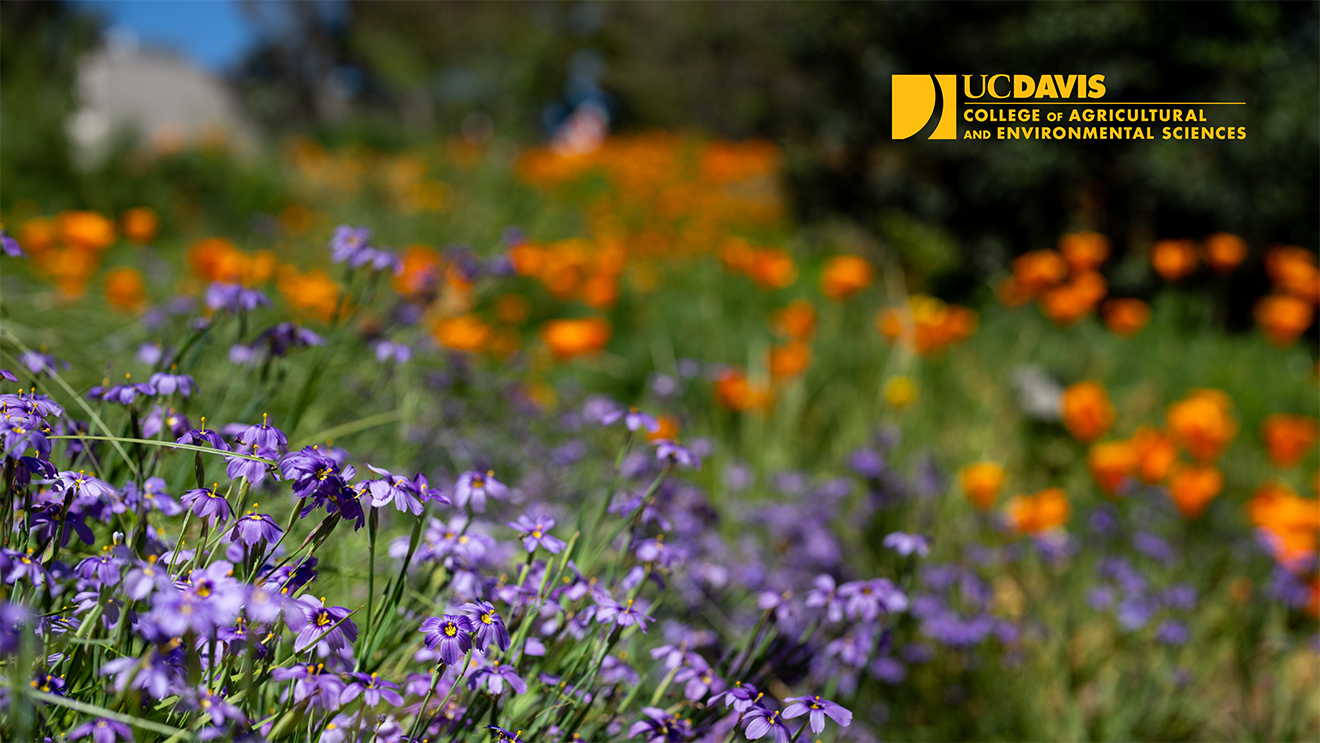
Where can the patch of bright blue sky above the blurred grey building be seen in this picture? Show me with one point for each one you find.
(212, 32)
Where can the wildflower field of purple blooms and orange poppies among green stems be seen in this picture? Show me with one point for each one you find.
(517, 445)
